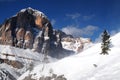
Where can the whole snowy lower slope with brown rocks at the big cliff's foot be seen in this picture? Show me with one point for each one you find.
(16, 61)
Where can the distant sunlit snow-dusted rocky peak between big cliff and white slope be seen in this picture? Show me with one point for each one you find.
(76, 44)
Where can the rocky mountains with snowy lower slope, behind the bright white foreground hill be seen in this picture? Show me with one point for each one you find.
(28, 39)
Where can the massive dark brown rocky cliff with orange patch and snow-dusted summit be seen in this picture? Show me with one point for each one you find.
(31, 29)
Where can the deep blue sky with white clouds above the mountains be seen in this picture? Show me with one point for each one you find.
(86, 18)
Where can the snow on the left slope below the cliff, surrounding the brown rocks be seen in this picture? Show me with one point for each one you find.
(26, 57)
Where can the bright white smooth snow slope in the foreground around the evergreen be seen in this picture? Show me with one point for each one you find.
(87, 65)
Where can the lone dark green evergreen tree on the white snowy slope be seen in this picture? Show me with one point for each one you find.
(105, 42)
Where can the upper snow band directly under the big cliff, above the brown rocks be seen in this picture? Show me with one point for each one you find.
(17, 52)
